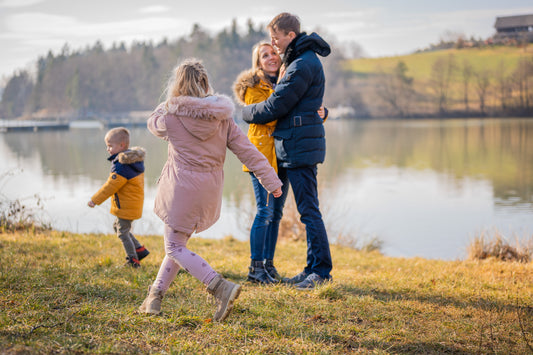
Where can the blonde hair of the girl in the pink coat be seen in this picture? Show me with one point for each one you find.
(189, 79)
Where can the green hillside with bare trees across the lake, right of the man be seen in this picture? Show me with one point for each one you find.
(454, 82)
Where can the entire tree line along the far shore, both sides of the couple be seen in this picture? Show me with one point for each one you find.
(99, 82)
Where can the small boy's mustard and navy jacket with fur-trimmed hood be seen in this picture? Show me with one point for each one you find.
(125, 184)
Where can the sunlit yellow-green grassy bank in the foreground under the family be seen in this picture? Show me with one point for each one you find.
(68, 293)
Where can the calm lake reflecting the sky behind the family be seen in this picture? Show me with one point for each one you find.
(423, 187)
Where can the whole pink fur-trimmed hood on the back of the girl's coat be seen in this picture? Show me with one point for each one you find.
(201, 117)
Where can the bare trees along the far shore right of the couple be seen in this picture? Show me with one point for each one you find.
(456, 88)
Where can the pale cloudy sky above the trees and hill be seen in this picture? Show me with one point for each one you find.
(31, 28)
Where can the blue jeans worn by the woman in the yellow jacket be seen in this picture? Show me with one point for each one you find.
(264, 232)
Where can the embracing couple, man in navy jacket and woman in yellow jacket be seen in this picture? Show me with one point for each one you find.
(285, 112)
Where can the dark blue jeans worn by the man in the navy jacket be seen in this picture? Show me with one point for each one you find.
(304, 185)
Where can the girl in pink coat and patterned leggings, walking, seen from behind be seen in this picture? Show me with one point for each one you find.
(198, 126)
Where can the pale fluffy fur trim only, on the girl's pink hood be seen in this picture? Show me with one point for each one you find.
(215, 107)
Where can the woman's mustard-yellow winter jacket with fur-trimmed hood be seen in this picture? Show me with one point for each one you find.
(249, 88)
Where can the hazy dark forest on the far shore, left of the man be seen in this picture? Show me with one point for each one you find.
(96, 82)
